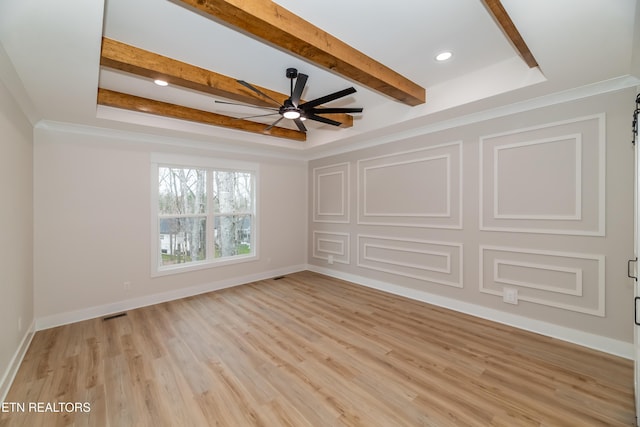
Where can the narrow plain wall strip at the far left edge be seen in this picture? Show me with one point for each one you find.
(16, 243)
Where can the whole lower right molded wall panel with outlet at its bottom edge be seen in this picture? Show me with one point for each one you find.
(569, 281)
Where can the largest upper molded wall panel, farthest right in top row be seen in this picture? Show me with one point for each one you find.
(546, 179)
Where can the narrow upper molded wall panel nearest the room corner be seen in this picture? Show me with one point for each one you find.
(331, 193)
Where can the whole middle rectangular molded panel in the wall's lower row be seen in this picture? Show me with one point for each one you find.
(429, 261)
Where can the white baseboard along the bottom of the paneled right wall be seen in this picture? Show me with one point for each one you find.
(585, 339)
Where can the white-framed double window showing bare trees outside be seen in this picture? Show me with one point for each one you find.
(203, 214)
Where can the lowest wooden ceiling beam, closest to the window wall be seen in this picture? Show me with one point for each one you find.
(135, 103)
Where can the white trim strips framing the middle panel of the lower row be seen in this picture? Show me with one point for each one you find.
(426, 278)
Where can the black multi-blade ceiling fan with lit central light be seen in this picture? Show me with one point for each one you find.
(292, 109)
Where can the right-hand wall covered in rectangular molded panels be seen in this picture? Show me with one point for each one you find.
(540, 202)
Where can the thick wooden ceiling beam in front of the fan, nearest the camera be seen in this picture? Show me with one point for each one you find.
(274, 24)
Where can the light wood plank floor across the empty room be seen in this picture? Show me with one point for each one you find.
(308, 350)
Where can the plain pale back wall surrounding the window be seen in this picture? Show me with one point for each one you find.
(92, 226)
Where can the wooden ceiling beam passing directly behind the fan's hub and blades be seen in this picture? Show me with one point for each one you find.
(130, 59)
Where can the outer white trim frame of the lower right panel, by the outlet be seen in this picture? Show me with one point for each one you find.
(599, 259)
